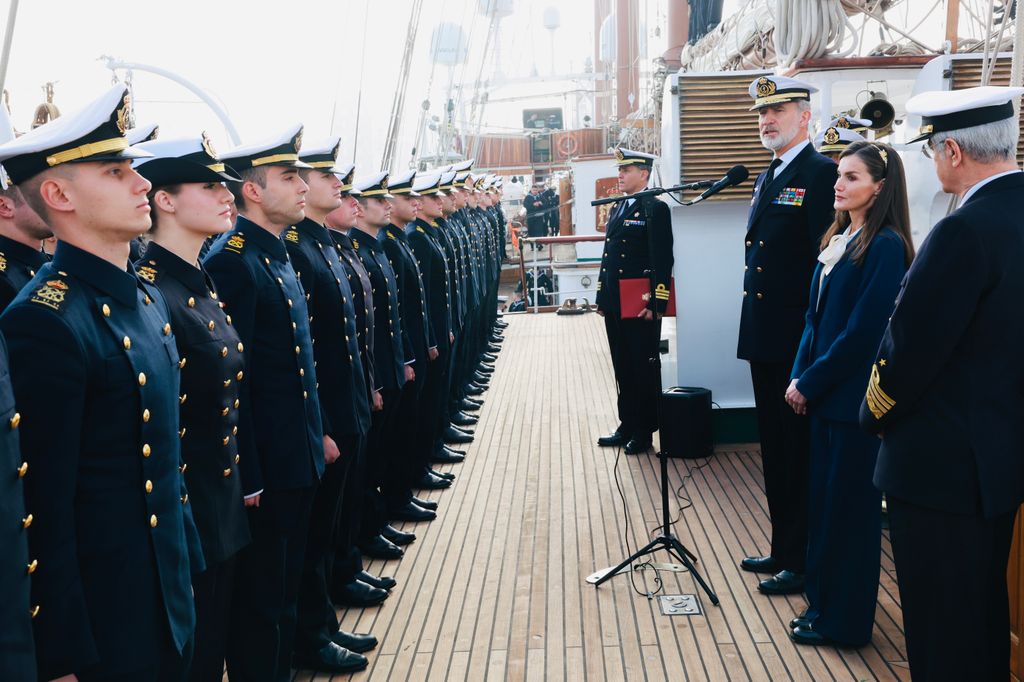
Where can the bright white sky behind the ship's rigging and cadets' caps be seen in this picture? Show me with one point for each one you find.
(273, 63)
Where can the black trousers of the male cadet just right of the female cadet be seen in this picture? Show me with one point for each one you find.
(264, 608)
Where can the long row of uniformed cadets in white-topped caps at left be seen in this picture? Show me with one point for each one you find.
(206, 435)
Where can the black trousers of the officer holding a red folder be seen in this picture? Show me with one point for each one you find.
(634, 353)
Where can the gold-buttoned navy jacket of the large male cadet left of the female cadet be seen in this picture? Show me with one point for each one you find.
(96, 372)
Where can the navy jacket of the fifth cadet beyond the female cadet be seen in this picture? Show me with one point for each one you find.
(412, 295)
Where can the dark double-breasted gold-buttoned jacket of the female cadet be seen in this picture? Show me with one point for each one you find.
(212, 370)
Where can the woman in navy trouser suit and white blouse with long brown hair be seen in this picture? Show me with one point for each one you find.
(864, 259)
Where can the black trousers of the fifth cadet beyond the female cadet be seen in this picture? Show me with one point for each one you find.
(397, 484)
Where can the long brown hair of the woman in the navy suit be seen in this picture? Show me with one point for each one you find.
(890, 209)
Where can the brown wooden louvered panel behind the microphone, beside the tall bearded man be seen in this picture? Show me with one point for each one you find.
(717, 131)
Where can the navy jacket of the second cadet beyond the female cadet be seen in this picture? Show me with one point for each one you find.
(344, 393)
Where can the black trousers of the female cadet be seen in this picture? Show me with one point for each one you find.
(214, 589)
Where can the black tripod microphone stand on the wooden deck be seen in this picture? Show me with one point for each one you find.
(666, 540)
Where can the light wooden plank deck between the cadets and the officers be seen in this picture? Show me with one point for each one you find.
(494, 589)
